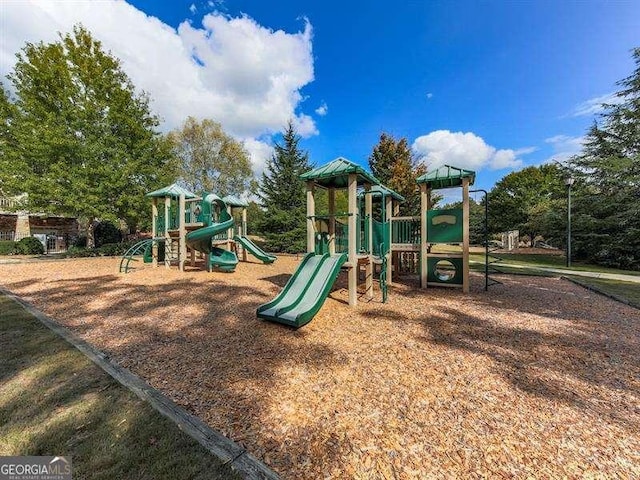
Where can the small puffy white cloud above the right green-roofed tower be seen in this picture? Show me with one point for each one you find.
(465, 150)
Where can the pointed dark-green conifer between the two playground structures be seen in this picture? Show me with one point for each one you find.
(283, 195)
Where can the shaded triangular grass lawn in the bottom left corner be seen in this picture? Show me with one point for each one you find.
(55, 401)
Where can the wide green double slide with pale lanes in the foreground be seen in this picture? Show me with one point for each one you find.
(305, 292)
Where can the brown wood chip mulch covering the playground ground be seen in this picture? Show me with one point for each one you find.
(536, 378)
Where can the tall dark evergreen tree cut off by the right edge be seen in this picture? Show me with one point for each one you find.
(607, 206)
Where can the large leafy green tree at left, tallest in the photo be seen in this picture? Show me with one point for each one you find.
(79, 140)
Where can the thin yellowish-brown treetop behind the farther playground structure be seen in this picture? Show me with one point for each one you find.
(210, 160)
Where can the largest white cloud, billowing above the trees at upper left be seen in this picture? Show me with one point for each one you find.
(233, 70)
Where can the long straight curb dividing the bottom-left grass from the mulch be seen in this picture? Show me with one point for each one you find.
(229, 452)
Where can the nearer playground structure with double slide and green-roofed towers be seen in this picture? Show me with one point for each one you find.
(362, 242)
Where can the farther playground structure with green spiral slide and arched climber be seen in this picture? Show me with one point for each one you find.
(184, 225)
